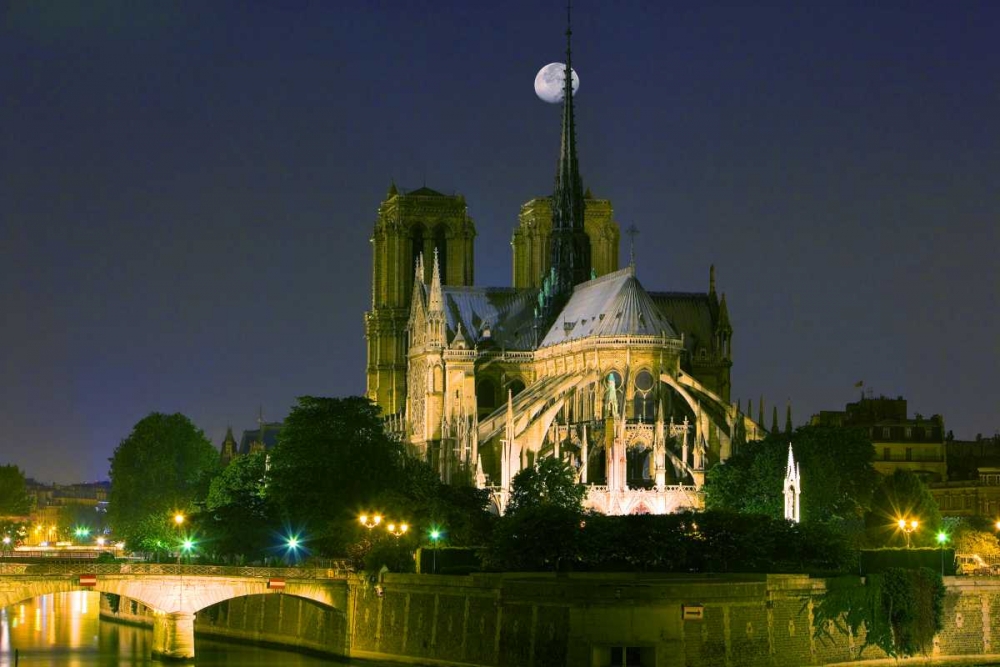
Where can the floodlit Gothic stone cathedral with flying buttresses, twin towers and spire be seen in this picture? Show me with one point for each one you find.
(576, 360)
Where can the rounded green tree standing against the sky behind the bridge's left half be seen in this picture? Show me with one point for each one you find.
(164, 466)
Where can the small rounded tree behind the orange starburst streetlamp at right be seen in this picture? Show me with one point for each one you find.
(902, 495)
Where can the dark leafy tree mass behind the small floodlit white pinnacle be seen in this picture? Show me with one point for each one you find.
(838, 477)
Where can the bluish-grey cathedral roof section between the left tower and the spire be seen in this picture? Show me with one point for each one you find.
(502, 317)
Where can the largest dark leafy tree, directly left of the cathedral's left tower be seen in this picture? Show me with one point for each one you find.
(332, 460)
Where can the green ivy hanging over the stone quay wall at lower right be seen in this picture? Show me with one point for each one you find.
(898, 611)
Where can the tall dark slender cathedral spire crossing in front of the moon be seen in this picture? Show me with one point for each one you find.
(569, 242)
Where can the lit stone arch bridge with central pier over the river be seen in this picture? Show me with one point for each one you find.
(174, 592)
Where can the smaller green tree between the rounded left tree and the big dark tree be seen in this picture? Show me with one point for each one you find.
(238, 516)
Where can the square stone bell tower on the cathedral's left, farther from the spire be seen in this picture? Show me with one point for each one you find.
(409, 226)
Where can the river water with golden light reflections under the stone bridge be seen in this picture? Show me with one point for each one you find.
(65, 630)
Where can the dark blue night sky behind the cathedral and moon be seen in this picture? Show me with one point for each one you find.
(188, 190)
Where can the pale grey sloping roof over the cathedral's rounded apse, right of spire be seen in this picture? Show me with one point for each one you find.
(613, 305)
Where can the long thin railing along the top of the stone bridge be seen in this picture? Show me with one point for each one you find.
(335, 570)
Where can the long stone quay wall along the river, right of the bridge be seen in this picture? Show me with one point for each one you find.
(545, 620)
